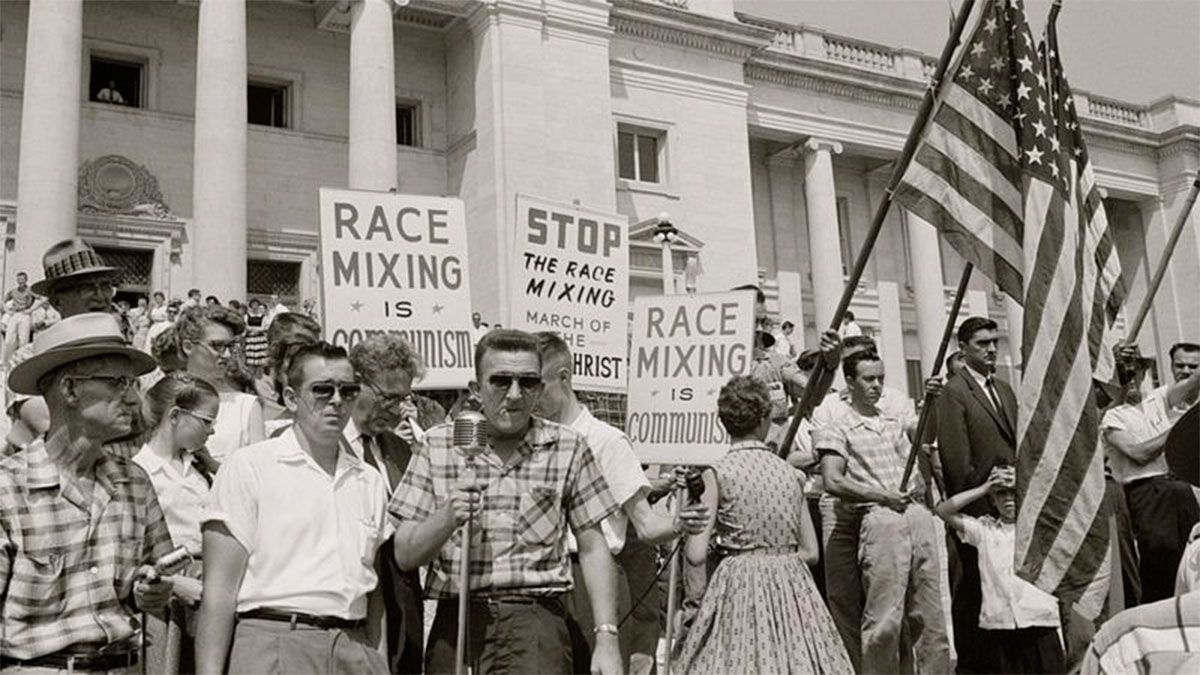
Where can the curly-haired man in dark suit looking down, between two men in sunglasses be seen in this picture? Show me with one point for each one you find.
(387, 367)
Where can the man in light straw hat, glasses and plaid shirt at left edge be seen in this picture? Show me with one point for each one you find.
(79, 527)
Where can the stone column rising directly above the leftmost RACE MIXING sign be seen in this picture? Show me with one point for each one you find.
(373, 162)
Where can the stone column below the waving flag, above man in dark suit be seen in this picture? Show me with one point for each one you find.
(929, 288)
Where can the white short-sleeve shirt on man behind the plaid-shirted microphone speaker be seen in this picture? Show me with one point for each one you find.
(621, 469)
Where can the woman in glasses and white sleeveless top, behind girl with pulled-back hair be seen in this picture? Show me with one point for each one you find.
(209, 342)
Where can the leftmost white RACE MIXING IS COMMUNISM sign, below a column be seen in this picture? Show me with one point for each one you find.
(398, 264)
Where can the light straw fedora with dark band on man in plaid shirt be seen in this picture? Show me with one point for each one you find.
(77, 338)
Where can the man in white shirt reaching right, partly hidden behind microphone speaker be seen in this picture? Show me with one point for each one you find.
(627, 483)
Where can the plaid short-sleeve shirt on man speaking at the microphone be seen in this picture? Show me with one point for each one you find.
(519, 540)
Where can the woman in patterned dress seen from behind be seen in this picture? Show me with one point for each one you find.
(761, 612)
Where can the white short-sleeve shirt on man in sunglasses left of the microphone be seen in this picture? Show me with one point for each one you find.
(311, 537)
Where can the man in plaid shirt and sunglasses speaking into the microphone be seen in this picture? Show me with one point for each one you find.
(532, 481)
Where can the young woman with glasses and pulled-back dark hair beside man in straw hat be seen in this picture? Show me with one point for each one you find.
(179, 411)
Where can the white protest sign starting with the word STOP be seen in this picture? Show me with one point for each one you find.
(572, 277)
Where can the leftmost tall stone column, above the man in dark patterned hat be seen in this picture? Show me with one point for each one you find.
(50, 134)
